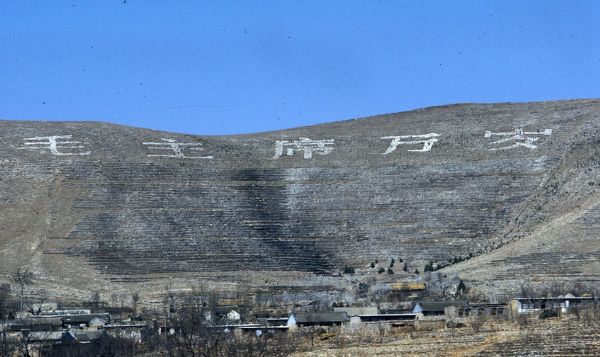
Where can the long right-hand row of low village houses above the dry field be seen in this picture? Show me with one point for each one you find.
(422, 315)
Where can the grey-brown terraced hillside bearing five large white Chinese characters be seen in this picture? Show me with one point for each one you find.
(93, 205)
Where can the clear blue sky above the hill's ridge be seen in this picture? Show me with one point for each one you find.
(224, 67)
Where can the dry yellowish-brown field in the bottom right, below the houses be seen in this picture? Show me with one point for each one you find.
(563, 337)
